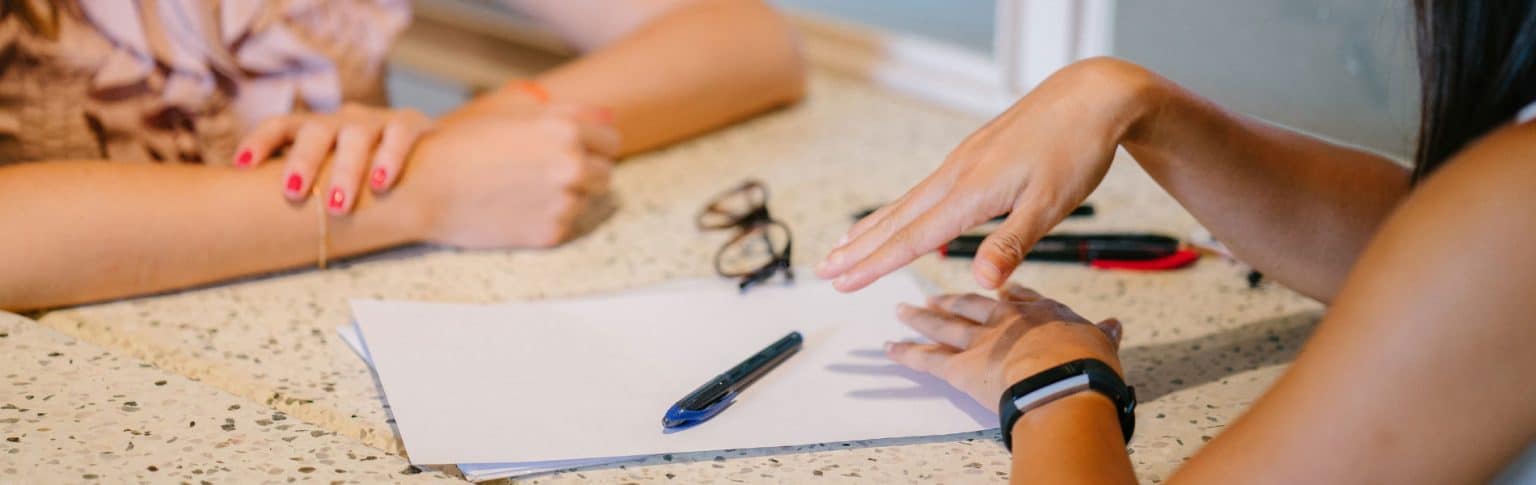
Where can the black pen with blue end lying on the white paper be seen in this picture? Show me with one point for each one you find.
(715, 397)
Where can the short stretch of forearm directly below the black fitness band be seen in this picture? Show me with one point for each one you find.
(1074, 440)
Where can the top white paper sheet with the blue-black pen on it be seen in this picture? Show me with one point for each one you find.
(591, 378)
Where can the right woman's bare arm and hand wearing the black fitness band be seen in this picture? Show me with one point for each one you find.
(1422, 372)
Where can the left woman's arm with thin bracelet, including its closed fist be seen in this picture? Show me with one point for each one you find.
(88, 231)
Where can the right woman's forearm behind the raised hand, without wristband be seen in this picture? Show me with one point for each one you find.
(1297, 208)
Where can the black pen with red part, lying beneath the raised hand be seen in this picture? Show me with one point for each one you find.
(1102, 251)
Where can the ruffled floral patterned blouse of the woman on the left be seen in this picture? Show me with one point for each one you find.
(179, 81)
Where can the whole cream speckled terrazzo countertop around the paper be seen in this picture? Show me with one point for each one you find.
(262, 357)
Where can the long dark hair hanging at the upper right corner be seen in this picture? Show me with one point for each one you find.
(1475, 68)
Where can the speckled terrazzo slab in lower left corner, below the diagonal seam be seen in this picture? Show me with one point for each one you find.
(73, 412)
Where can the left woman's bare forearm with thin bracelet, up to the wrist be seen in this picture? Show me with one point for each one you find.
(88, 231)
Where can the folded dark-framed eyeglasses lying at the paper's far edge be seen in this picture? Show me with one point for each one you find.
(761, 248)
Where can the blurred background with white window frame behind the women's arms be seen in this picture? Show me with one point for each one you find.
(1334, 68)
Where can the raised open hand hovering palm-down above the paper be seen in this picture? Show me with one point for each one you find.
(1038, 160)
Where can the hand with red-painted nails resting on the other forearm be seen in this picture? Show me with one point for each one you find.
(357, 140)
